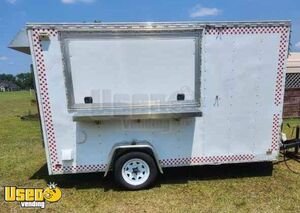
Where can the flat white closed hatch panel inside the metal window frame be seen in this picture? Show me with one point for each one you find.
(128, 68)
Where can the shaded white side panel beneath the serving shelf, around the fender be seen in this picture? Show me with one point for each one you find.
(171, 138)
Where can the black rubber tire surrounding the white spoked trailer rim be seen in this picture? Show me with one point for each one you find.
(119, 163)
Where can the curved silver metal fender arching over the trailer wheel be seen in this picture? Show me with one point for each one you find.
(130, 146)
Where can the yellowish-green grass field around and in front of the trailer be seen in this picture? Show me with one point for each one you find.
(227, 188)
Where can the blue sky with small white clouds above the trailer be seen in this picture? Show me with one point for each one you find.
(15, 13)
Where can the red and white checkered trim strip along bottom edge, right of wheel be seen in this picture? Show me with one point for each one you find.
(207, 159)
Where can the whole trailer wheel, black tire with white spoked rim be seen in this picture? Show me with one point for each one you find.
(135, 170)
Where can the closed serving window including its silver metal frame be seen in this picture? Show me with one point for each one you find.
(153, 71)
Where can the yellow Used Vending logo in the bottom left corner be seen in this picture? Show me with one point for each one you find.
(32, 197)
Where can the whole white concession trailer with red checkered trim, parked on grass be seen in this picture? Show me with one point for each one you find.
(138, 97)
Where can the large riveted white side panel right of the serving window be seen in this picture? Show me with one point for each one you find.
(239, 79)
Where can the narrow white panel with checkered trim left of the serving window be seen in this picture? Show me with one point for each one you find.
(58, 128)
